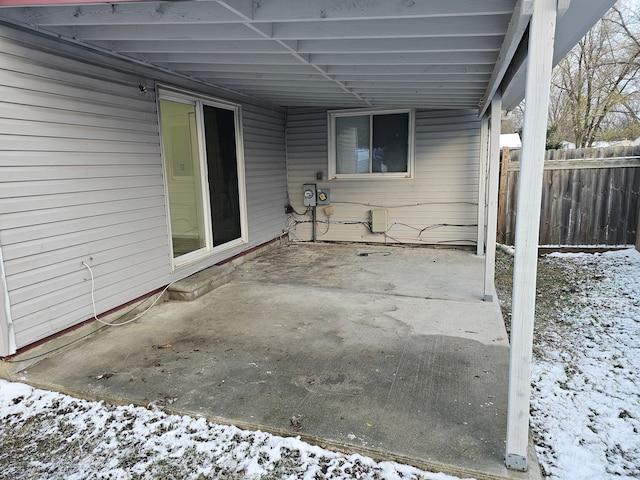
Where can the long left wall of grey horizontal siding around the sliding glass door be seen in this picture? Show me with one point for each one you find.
(82, 181)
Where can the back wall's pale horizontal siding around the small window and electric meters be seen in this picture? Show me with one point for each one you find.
(438, 206)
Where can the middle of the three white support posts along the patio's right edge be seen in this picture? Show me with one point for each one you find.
(492, 197)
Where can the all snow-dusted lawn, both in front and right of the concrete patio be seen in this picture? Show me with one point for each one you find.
(585, 409)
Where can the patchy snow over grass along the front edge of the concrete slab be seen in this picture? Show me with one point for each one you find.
(54, 436)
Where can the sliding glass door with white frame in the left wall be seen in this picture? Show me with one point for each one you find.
(202, 149)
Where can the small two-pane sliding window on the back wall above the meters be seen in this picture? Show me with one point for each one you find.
(371, 143)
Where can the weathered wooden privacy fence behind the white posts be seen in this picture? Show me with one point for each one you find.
(589, 197)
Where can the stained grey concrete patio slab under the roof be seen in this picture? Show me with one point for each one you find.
(384, 350)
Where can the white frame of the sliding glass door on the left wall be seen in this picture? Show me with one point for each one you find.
(184, 96)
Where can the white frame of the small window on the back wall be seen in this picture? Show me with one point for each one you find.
(331, 121)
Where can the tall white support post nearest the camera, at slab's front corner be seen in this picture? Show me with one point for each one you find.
(539, 64)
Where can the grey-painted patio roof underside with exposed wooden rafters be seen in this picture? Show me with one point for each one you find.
(338, 53)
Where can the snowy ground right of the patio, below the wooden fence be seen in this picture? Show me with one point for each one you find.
(586, 392)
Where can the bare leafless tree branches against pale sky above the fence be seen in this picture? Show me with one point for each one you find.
(596, 87)
